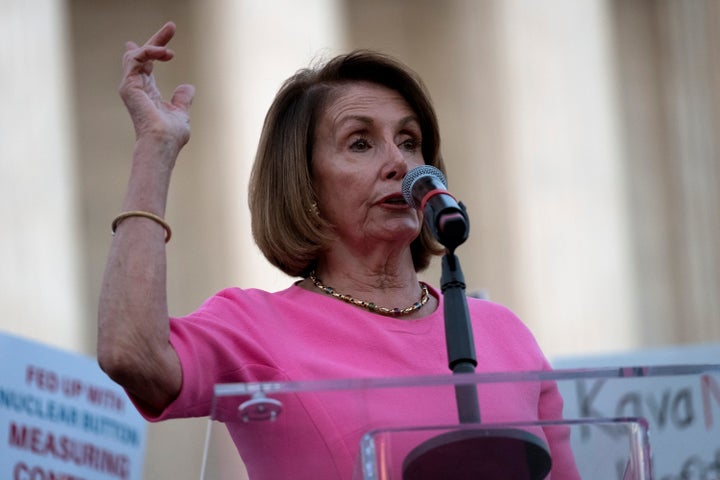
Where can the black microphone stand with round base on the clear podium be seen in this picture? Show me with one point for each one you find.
(470, 453)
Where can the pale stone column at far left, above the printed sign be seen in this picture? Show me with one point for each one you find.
(42, 296)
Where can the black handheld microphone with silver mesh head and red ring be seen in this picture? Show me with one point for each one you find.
(425, 188)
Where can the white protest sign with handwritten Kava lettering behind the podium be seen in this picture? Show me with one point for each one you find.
(682, 411)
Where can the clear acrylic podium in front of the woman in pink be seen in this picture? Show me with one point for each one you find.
(635, 423)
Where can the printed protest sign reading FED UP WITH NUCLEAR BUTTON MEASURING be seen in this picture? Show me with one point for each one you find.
(62, 418)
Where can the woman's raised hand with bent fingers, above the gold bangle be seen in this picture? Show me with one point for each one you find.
(152, 116)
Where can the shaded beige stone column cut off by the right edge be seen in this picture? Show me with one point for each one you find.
(693, 72)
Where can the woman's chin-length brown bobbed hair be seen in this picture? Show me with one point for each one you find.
(281, 193)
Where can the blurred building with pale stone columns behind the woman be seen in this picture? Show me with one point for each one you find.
(583, 135)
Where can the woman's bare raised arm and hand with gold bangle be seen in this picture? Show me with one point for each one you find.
(133, 328)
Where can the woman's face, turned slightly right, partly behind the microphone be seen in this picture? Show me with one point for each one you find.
(366, 140)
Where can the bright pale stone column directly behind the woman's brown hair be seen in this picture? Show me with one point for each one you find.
(244, 51)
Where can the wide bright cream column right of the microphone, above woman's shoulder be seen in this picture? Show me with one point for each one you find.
(568, 179)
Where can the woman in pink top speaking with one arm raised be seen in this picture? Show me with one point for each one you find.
(326, 205)
